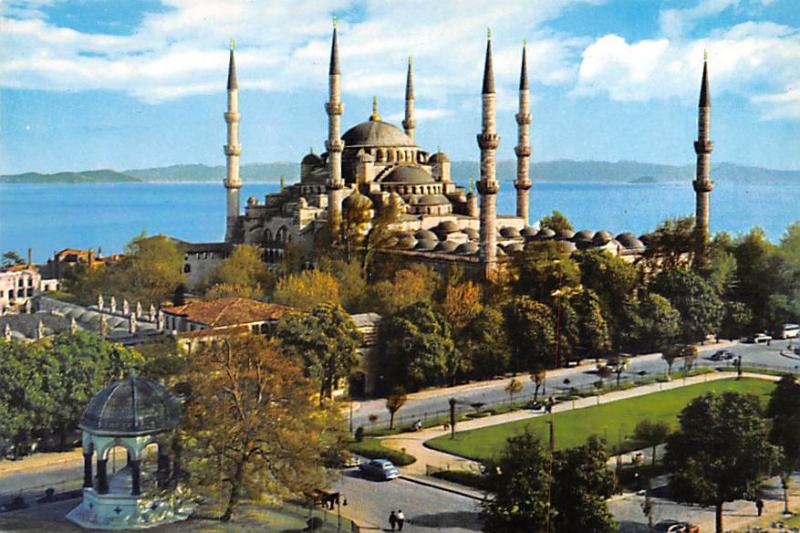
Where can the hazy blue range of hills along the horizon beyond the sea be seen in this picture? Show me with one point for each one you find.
(563, 171)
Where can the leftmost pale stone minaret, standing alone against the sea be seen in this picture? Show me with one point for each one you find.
(232, 150)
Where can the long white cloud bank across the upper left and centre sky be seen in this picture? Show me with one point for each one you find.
(283, 45)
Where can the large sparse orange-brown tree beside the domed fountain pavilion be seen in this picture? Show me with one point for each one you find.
(251, 427)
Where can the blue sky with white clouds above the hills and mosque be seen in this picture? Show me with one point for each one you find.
(123, 84)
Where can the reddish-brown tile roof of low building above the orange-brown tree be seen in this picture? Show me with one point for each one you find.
(229, 312)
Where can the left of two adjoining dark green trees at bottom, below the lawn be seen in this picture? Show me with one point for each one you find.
(517, 495)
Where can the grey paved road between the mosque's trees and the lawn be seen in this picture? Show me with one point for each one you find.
(436, 401)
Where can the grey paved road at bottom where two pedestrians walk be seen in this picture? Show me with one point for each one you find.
(426, 508)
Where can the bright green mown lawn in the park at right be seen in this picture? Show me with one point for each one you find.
(611, 421)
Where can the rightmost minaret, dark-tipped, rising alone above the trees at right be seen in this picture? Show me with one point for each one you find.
(703, 147)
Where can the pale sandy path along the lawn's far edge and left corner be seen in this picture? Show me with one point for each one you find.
(414, 443)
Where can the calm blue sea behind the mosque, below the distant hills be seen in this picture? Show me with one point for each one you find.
(51, 217)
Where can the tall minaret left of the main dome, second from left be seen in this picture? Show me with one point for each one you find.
(334, 144)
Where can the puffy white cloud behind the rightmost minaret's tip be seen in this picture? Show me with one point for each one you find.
(749, 59)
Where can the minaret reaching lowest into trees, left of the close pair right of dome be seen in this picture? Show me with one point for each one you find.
(488, 140)
